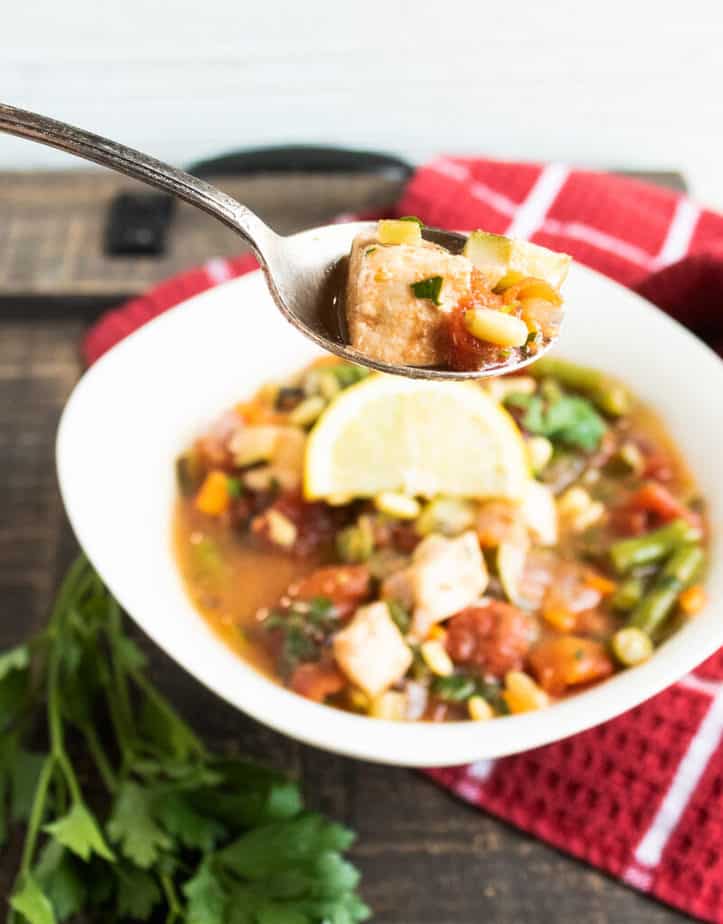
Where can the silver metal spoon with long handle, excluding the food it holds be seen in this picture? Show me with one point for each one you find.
(299, 269)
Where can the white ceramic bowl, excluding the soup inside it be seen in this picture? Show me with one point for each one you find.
(143, 402)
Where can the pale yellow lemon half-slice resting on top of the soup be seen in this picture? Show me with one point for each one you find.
(418, 438)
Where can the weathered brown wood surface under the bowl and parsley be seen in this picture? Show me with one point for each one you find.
(426, 858)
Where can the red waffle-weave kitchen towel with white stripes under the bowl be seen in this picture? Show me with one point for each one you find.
(640, 797)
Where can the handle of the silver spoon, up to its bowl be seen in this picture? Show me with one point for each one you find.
(141, 167)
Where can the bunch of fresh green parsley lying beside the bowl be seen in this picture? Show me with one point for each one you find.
(180, 832)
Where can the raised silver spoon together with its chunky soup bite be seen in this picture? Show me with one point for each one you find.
(394, 295)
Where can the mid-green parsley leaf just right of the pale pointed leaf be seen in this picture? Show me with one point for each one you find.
(133, 827)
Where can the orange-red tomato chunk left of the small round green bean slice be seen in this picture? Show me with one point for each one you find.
(567, 661)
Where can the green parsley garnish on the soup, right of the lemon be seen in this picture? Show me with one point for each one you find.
(566, 419)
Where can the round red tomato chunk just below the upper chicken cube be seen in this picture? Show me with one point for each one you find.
(494, 637)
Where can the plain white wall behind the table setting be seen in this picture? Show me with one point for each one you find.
(634, 83)
